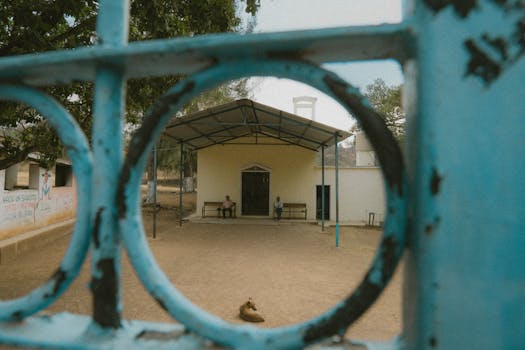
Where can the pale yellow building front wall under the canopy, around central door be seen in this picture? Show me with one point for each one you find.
(291, 173)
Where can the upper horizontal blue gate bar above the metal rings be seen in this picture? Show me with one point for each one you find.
(189, 55)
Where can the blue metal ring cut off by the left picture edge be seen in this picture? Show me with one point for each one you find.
(77, 148)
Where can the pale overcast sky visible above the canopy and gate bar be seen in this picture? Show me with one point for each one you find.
(281, 15)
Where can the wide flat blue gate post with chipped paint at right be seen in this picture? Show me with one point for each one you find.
(465, 271)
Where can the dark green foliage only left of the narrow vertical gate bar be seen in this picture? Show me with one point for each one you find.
(37, 26)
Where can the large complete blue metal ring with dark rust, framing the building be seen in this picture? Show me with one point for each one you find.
(333, 321)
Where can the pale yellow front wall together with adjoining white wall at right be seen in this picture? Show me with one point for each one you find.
(293, 176)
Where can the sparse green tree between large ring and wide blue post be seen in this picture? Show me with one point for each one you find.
(386, 100)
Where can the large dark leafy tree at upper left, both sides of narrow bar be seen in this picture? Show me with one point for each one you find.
(42, 25)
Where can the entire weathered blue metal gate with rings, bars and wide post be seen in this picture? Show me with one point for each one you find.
(456, 209)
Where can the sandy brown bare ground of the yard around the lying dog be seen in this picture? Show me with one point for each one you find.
(291, 270)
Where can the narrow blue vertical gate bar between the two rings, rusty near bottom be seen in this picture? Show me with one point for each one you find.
(108, 112)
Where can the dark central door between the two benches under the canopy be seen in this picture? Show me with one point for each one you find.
(255, 193)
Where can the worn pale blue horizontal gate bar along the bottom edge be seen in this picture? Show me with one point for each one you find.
(48, 332)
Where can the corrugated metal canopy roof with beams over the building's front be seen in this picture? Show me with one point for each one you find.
(243, 118)
